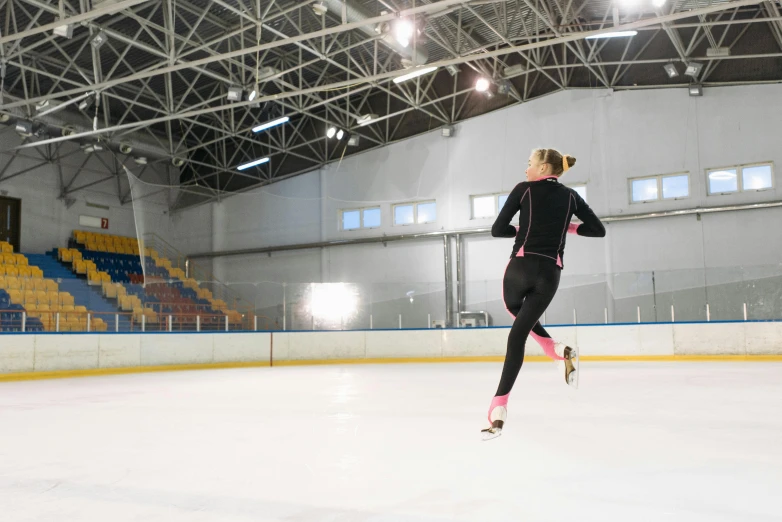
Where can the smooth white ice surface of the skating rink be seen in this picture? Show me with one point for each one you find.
(645, 441)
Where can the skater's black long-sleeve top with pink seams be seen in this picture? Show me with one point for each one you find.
(546, 208)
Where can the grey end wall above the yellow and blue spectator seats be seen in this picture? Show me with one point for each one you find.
(47, 222)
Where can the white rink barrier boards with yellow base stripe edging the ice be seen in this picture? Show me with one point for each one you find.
(44, 354)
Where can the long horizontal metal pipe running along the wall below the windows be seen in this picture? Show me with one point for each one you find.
(466, 232)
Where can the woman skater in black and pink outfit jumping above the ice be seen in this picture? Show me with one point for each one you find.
(531, 279)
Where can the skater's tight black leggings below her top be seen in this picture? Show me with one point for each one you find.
(529, 285)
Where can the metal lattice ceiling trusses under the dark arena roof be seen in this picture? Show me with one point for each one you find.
(161, 76)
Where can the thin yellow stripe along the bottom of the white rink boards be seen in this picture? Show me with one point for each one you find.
(64, 374)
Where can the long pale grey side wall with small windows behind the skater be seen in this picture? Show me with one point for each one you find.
(614, 135)
